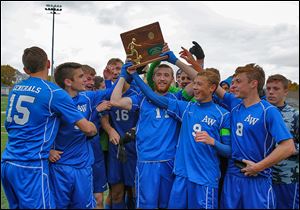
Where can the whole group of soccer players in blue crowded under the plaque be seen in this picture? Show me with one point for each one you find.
(197, 143)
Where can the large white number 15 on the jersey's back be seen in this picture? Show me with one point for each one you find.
(22, 110)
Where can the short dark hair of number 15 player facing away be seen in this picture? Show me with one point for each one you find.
(34, 59)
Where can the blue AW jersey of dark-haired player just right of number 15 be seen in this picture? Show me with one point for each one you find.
(77, 150)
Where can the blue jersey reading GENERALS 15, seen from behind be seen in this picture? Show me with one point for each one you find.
(35, 107)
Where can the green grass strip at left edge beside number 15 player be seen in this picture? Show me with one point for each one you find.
(4, 204)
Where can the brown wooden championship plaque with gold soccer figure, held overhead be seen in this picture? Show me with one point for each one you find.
(143, 45)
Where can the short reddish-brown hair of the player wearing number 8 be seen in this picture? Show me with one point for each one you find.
(253, 72)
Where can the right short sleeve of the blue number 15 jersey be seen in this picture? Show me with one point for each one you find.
(63, 104)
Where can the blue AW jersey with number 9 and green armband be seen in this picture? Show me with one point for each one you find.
(197, 161)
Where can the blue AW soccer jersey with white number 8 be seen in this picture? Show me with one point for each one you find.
(255, 130)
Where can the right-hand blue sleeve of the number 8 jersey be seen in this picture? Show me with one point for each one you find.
(276, 126)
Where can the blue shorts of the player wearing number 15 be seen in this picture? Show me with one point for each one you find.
(27, 185)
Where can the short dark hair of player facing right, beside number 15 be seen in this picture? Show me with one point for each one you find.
(65, 71)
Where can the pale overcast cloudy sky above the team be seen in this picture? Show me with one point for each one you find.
(231, 33)
